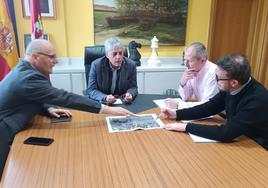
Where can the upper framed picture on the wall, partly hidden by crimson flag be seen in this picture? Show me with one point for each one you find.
(47, 7)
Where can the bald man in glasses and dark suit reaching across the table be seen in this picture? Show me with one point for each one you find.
(27, 91)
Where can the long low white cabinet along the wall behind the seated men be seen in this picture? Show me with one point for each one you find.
(151, 80)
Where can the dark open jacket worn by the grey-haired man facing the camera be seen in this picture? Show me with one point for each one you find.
(100, 79)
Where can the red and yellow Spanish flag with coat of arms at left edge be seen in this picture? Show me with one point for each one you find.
(8, 49)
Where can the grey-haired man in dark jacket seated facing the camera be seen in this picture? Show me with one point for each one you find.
(113, 75)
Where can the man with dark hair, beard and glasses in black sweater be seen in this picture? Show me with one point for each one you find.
(244, 99)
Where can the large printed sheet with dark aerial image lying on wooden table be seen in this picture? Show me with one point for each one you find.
(133, 122)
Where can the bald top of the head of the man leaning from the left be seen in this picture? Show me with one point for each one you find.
(38, 45)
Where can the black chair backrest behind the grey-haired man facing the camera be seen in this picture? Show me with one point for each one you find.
(92, 53)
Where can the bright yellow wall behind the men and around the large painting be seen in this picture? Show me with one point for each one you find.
(73, 27)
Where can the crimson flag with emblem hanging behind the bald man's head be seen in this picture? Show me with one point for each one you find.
(37, 27)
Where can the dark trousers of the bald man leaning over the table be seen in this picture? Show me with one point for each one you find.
(5, 141)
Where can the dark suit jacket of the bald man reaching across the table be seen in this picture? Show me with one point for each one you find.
(24, 91)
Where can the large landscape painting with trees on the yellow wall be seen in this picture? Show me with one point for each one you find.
(140, 20)
